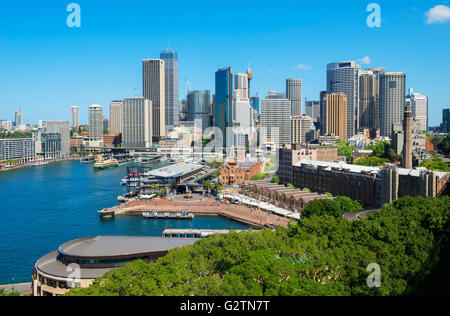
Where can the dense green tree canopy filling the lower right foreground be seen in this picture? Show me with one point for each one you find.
(320, 255)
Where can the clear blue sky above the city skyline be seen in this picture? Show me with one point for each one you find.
(46, 67)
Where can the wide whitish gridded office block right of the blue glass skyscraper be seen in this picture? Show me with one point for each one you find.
(275, 121)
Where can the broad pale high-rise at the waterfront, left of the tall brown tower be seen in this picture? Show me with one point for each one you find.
(137, 123)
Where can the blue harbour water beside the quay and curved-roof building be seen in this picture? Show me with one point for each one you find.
(43, 207)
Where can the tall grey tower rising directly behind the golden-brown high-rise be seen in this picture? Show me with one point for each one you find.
(342, 77)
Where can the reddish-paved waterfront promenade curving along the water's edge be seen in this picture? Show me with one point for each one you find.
(206, 207)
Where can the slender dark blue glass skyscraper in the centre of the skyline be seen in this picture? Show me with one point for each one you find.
(224, 101)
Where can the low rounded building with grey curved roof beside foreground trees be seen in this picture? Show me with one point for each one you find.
(79, 262)
